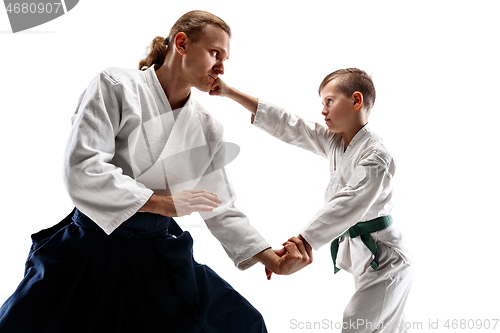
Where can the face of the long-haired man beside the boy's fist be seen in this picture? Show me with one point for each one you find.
(204, 59)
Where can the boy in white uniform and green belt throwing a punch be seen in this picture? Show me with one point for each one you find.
(358, 201)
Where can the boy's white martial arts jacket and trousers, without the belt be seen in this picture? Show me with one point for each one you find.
(360, 189)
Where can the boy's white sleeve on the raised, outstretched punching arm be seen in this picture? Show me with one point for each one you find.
(293, 129)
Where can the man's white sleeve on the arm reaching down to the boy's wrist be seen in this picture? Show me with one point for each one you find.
(227, 223)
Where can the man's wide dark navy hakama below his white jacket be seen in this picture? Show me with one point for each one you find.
(141, 278)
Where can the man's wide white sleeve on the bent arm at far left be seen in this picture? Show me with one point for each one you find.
(98, 187)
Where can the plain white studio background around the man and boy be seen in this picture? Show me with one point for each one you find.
(436, 69)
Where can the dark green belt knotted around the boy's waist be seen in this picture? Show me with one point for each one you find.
(363, 230)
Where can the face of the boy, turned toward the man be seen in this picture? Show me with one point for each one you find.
(338, 109)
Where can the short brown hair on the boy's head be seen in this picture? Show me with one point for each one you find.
(350, 80)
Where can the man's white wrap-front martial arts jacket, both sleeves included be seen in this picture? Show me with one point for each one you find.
(116, 160)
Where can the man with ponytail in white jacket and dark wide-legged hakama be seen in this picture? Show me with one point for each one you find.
(141, 151)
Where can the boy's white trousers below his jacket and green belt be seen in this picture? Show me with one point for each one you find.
(379, 301)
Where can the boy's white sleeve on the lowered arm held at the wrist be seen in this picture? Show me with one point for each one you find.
(348, 206)
